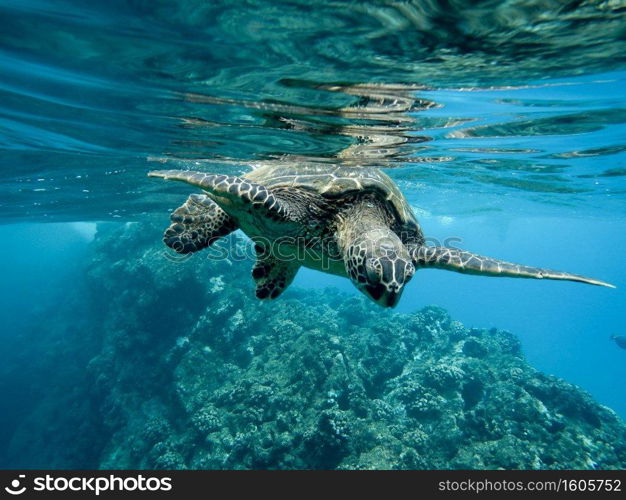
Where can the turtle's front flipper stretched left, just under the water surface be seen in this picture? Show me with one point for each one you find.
(234, 191)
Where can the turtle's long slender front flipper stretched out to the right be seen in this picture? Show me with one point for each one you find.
(461, 261)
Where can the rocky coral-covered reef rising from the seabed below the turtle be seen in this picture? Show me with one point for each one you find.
(184, 368)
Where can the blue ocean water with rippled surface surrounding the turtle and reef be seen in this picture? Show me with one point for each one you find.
(504, 124)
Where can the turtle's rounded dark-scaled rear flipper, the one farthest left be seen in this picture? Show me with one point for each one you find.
(197, 224)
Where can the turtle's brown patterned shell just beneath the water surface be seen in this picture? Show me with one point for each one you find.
(337, 182)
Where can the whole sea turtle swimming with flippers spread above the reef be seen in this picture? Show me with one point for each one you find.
(348, 221)
